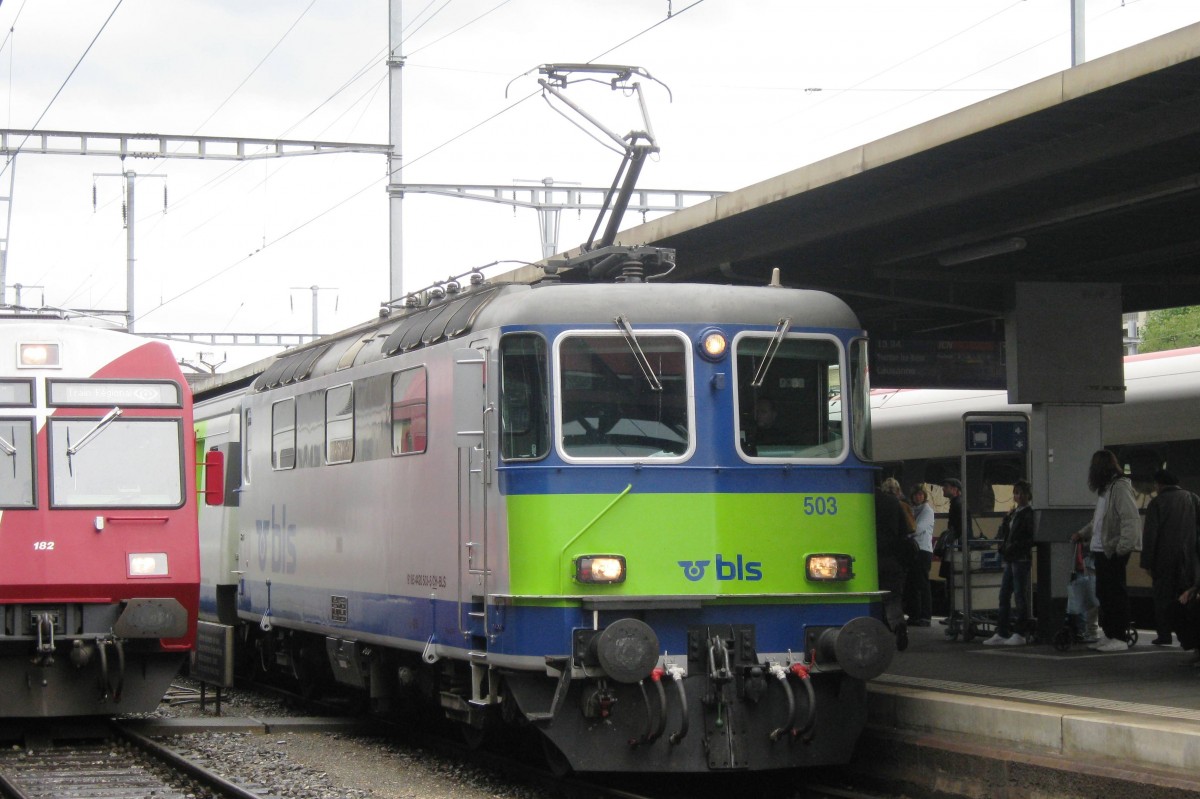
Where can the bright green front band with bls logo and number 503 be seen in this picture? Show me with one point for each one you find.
(753, 544)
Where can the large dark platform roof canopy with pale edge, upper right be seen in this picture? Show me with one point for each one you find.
(1088, 176)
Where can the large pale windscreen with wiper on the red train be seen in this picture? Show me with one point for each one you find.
(112, 462)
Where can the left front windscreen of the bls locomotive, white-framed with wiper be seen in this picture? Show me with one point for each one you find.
(625, 398)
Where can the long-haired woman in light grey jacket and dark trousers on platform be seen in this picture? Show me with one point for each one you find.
(1112, 538)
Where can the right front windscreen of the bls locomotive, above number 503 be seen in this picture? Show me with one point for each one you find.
(789, 398)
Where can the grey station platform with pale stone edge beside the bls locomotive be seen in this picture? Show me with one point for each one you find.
(1132, 717)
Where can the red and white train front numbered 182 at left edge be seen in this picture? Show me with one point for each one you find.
(99, 555)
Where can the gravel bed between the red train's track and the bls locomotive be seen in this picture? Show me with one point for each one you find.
(327, 765)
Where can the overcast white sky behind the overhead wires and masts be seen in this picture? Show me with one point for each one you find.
(757, 88)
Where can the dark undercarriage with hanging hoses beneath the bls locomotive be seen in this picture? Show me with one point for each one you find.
(722, 706)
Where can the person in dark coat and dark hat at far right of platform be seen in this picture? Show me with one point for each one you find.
(1171, 526)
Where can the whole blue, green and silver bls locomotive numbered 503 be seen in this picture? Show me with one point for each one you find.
(635, 516)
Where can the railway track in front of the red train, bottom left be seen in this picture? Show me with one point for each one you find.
(127, 767)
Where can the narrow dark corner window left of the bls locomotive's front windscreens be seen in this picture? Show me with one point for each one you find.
(524, 401)
